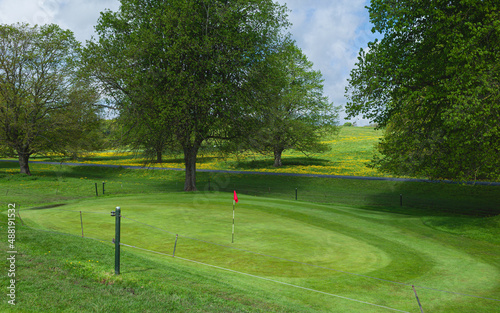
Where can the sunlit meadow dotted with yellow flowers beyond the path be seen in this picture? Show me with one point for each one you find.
(349, 153)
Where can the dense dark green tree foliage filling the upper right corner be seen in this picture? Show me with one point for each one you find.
(433, 81)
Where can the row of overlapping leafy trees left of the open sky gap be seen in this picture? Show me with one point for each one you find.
(178, 74)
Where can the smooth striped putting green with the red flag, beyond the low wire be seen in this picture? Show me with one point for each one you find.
(369, 256)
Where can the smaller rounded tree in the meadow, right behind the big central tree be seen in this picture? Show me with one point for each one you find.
(292, 111)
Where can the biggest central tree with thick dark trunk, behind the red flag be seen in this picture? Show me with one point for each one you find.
(188, 58)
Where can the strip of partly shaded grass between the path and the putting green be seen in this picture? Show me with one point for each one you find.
(55, 183)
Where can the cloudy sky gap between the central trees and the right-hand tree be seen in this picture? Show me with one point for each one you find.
(331, 33)
